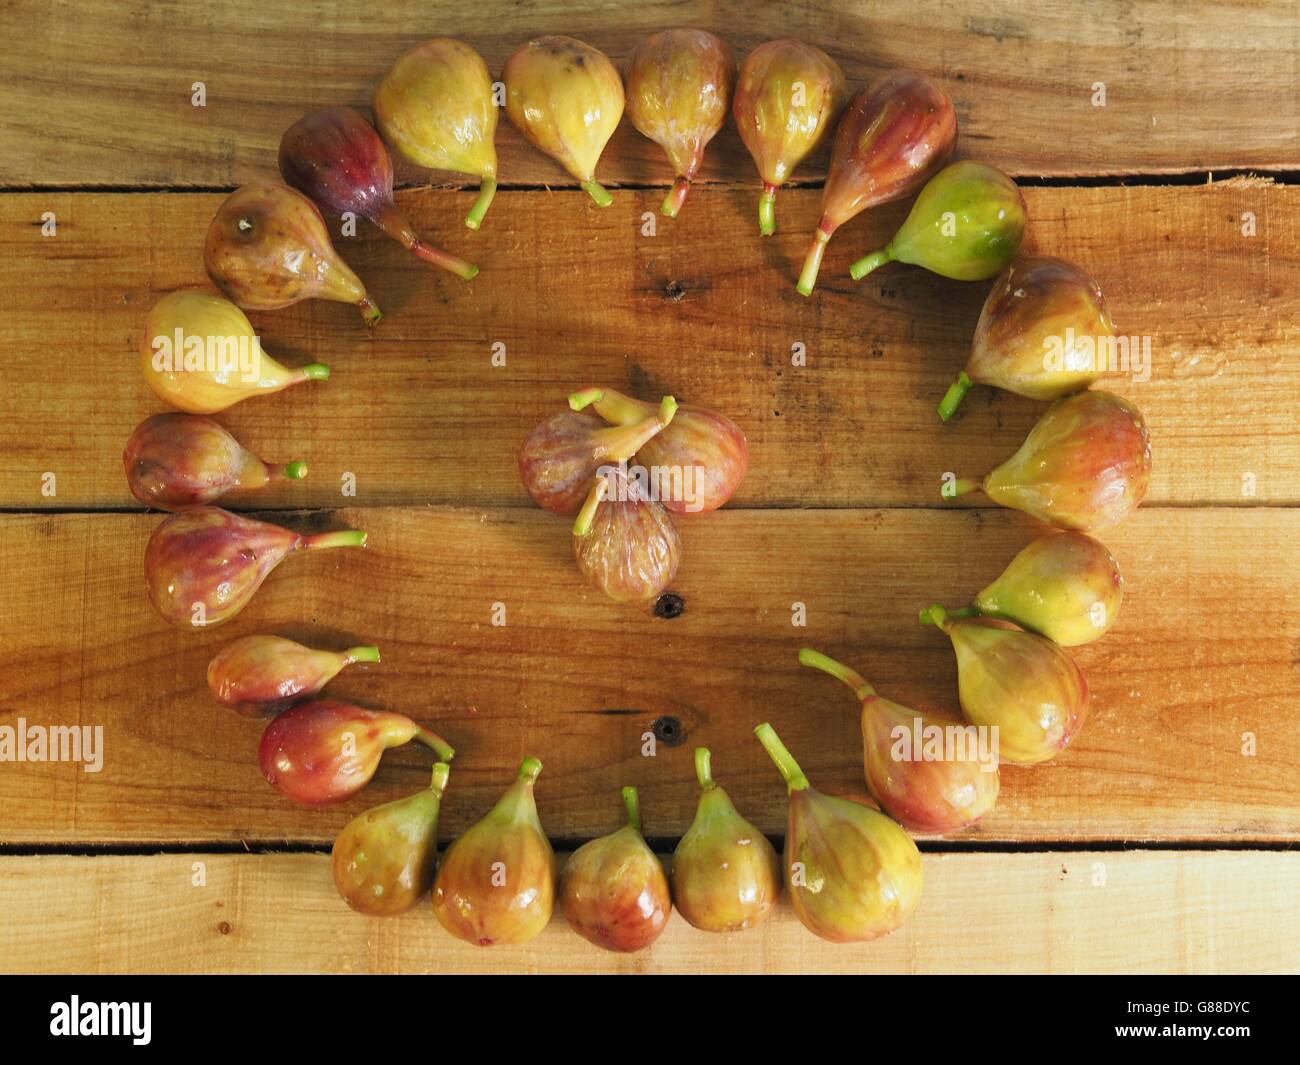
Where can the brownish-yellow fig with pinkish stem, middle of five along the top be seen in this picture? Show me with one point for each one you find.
(679, 90)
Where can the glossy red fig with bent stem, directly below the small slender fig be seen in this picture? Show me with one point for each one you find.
(324, 752)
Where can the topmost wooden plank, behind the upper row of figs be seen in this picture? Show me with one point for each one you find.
(102, 94)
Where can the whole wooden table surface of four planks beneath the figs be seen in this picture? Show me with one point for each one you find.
(1164, 839)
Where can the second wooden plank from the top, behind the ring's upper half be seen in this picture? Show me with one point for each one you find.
(578, 296)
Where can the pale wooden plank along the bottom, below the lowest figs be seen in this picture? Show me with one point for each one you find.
(1086, 912)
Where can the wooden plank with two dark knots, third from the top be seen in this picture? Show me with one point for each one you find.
(1199, 670)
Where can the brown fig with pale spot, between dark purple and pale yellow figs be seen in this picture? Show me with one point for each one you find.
(268, 248)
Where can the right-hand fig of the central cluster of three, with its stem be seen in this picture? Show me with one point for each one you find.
(696, 462)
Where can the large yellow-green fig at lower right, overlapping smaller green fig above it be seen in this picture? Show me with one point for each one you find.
(1017, 682)
